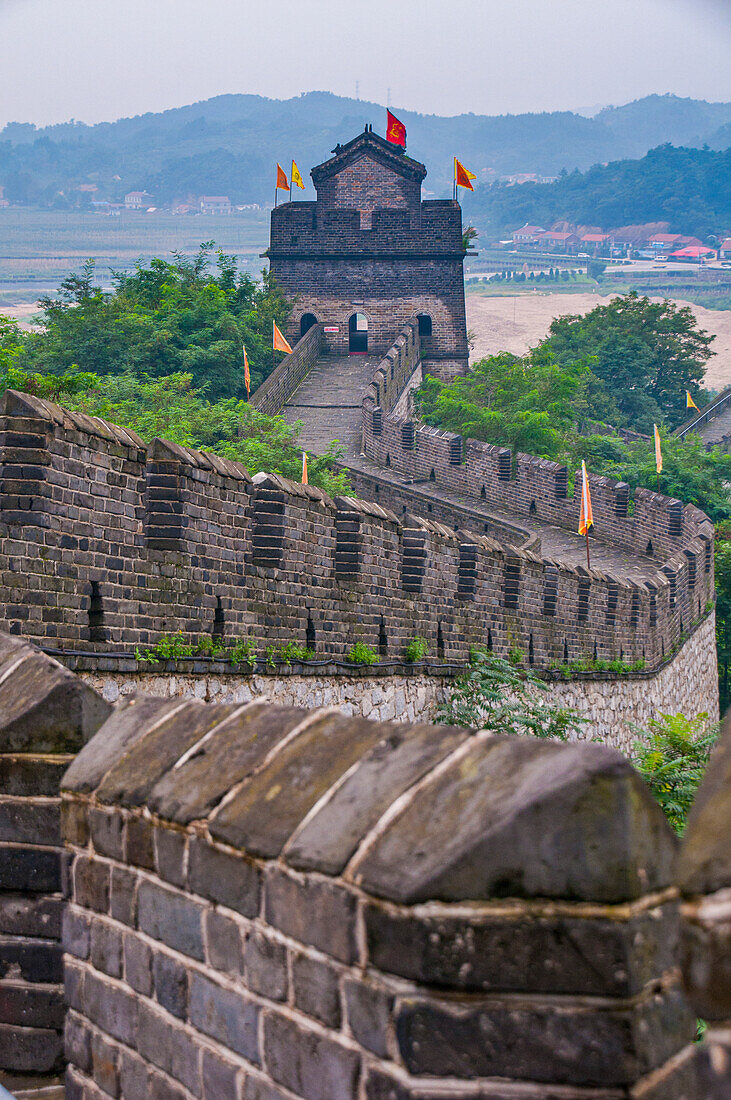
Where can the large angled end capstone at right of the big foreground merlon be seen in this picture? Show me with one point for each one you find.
(525, 818)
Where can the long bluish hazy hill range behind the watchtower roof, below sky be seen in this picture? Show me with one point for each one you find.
(228, 146)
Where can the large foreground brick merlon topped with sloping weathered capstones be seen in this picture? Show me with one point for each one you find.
(279, 903)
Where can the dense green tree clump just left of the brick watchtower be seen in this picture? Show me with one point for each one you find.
(164, 318)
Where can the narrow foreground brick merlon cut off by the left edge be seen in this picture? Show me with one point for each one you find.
(47, 714)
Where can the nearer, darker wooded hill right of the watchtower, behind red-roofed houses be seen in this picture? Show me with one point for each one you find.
(690, 189)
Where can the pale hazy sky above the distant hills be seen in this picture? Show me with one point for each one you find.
(97, 60)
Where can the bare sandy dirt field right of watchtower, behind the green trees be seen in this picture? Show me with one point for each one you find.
(517, 324)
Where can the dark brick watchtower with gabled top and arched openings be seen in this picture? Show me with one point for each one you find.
(370, 255)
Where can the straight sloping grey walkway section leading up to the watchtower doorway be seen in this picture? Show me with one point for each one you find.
(328, 402)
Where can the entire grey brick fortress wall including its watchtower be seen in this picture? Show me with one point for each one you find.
(271, 904)
